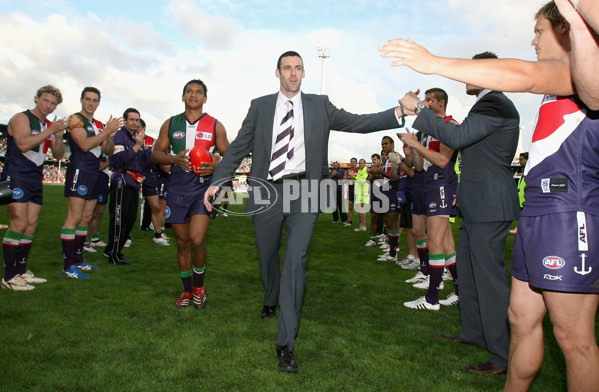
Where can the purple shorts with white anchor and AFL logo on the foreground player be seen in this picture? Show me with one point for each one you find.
(558, 252)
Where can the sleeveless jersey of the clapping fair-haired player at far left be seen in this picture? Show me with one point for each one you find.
(28, 165)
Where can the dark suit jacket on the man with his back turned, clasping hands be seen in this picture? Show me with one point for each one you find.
(488, 139)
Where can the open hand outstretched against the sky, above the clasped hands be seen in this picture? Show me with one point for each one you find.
(411, 54)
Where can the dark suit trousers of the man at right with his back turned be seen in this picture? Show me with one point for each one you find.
(484, 288)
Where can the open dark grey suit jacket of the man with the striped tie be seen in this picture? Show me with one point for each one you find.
(320, 116)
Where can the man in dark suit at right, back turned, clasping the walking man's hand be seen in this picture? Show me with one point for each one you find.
(488, 200)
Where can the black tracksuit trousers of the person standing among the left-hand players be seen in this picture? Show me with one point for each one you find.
(123, 212)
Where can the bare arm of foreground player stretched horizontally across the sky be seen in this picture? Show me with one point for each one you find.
(510, 75)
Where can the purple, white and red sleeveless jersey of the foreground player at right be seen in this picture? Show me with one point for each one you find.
(562, 173)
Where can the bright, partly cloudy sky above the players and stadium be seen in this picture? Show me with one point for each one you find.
(141, 53)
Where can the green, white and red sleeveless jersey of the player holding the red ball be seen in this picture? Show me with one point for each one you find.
(185, 135)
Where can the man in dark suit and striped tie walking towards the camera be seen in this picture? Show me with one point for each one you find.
(288, 135)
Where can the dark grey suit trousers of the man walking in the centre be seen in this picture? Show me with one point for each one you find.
(286, 287)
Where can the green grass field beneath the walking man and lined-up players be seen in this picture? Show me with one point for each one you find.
(120, 330)
